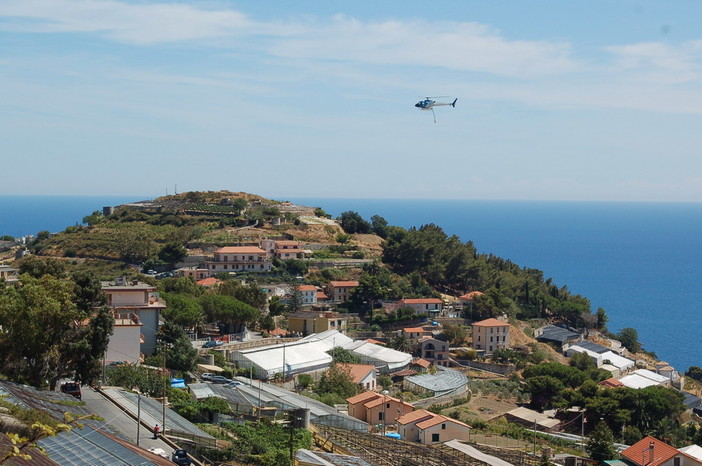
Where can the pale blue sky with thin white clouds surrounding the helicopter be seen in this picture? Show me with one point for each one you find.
(577, 100)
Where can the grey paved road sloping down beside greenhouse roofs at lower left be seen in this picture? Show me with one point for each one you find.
(121, 421)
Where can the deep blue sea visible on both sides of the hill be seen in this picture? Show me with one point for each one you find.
(641, 262)
